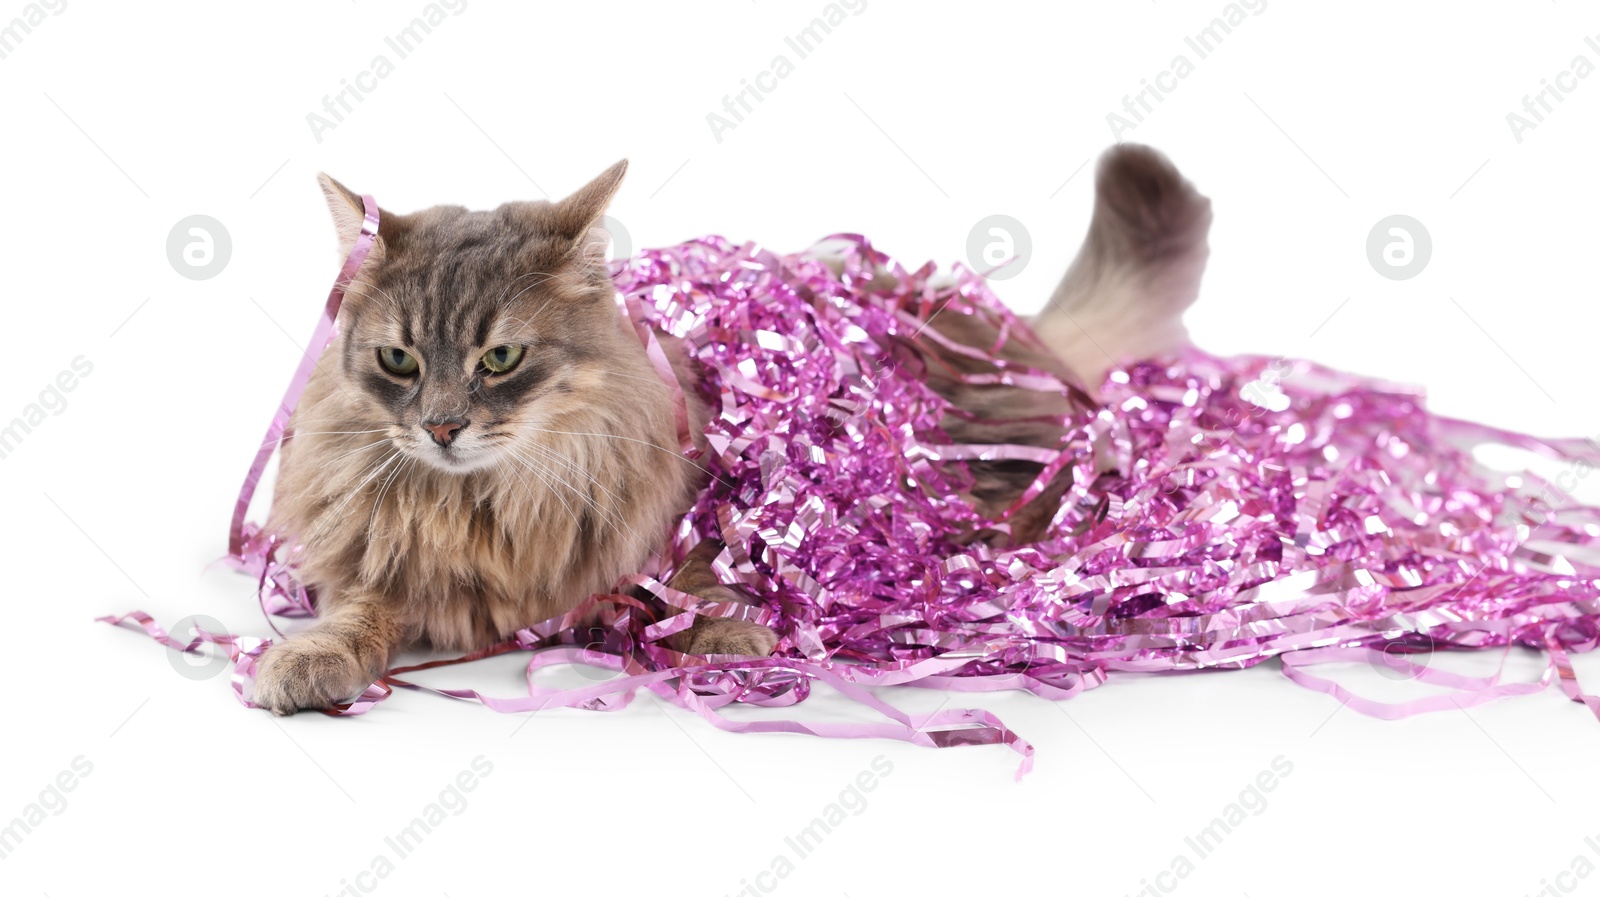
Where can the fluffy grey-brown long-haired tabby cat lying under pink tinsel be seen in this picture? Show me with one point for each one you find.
(487, 442)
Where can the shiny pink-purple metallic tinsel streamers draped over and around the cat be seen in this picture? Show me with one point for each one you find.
(1338, 522)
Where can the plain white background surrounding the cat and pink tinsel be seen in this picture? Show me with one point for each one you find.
(910, 124)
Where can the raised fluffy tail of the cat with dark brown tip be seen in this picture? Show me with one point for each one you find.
(1138, 269)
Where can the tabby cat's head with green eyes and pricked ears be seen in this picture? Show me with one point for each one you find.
(465, 332)
